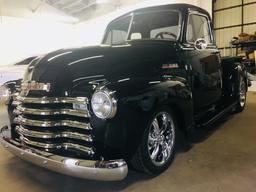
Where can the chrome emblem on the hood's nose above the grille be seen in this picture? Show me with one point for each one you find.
(35, 86)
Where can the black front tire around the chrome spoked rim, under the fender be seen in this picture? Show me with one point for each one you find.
(142, 160)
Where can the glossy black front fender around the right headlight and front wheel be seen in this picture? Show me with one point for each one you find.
(137, 99)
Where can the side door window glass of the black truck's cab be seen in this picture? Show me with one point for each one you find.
(198, 28)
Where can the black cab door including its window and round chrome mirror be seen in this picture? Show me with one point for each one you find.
(202, 61)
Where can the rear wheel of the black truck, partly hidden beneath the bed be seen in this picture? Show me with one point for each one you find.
(240, 95)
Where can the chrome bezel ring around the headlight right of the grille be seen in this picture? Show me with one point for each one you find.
(110, 95)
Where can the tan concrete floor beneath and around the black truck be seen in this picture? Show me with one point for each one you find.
(225, 160)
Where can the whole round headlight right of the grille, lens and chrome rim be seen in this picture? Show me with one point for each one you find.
(103, 104)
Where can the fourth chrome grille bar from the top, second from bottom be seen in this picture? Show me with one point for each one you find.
(46, 135)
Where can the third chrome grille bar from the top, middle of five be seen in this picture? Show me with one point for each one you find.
(69, 123)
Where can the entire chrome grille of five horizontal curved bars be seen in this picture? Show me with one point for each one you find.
(52, 124)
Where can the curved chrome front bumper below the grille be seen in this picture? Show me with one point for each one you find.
(96, 170)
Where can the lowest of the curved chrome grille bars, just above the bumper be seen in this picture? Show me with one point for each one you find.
(81, 148)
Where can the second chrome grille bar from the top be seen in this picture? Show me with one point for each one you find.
(46, 112)
